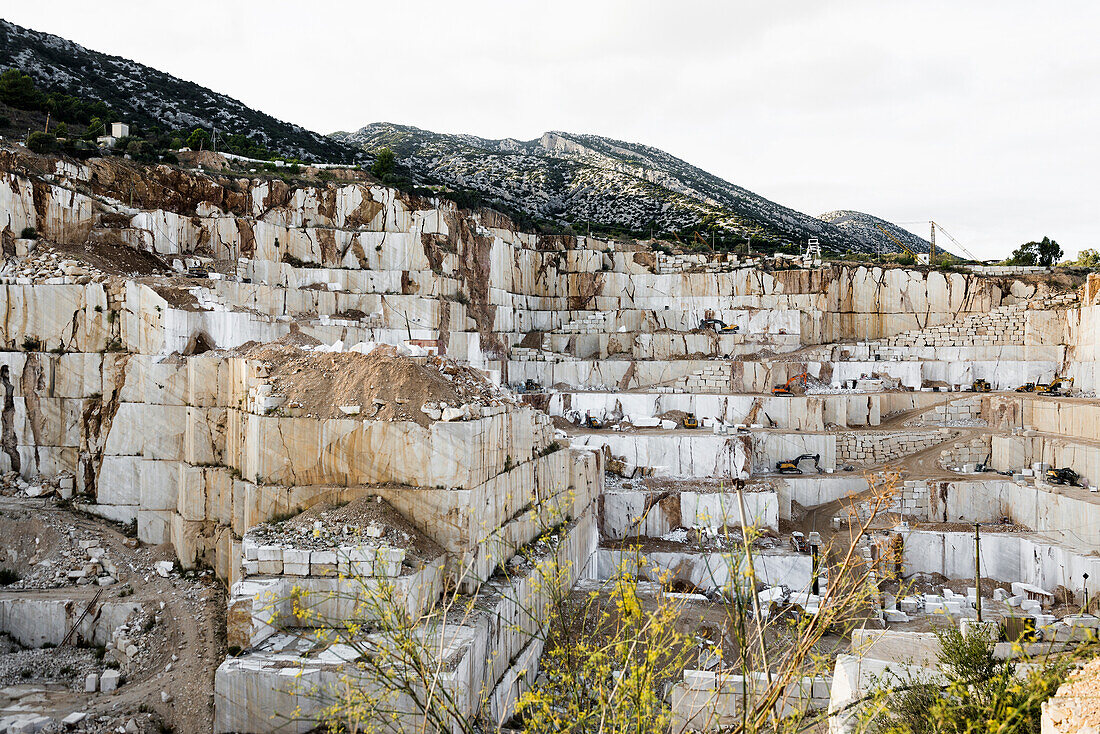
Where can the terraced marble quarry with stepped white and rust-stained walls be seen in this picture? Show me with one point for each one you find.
(211, 359)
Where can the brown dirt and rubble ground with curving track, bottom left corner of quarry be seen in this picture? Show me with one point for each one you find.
(181, 651)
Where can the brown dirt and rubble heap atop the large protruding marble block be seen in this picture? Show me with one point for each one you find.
(384, 385)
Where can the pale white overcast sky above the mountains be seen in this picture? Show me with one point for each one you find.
(984, 116)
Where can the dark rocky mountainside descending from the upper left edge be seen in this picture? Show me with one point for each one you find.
(146, 96)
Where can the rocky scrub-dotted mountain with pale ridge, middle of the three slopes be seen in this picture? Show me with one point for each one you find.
(576, 179)
